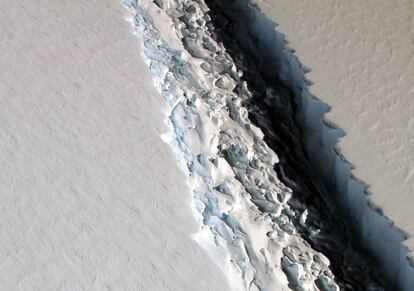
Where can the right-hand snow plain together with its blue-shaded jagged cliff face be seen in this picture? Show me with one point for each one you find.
(359, 59)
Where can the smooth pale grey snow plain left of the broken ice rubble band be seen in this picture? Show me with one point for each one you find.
(90, 196)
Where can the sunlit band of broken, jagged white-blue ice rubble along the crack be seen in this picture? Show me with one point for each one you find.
(250, 223)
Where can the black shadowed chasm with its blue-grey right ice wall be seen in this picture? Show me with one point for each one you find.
(365, 250)
